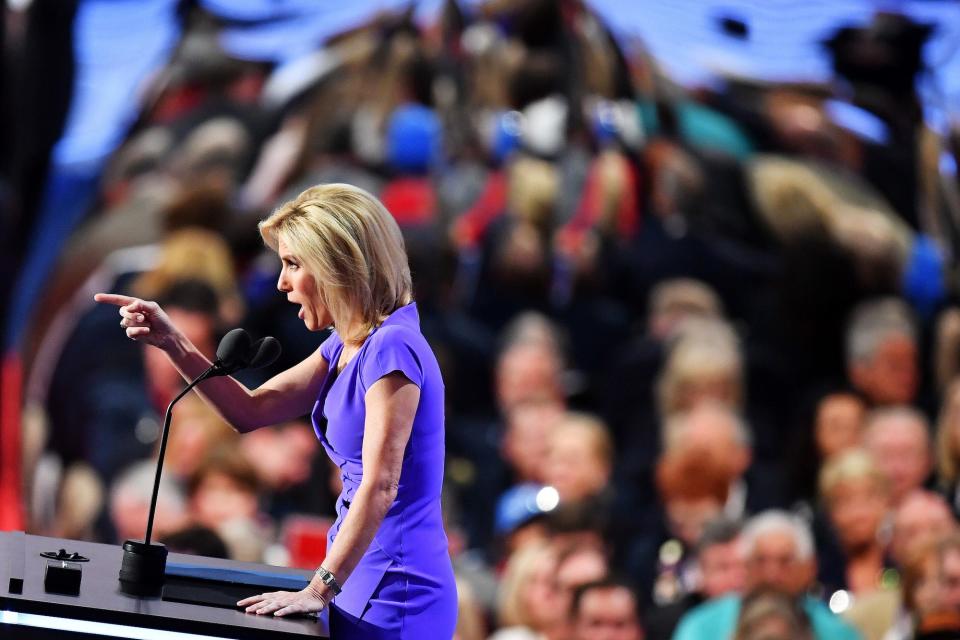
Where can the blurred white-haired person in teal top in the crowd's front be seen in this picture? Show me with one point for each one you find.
(779, 552)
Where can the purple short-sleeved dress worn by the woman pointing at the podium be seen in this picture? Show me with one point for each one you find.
(403, 586)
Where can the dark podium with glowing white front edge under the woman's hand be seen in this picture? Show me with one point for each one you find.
(102, 610)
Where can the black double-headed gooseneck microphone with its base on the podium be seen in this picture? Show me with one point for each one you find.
(143, 567)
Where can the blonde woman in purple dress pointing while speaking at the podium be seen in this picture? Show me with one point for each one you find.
(376, 385)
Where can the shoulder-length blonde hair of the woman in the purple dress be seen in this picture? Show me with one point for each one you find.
(353, 247)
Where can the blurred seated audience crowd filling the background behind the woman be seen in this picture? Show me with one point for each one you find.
(701, 348)
